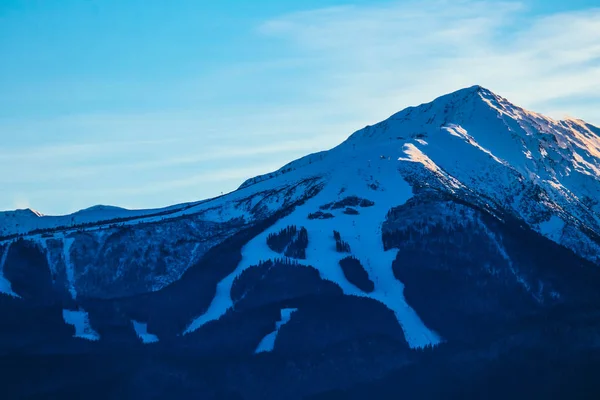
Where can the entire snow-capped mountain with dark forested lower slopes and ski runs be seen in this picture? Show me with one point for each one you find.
(447, 241)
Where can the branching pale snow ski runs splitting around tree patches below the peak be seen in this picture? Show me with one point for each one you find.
(350, 173)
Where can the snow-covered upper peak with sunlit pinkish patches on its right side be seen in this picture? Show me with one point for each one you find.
(477, 142)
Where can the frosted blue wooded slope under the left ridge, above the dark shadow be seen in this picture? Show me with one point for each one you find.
(101, 258)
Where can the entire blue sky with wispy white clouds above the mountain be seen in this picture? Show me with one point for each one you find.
(149, 103)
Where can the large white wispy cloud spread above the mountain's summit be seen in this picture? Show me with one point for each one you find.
(377, 58)
